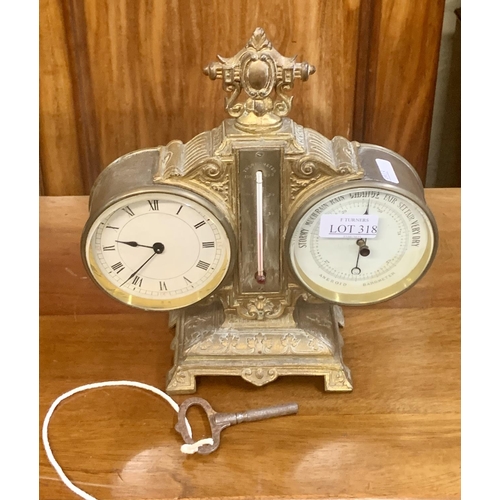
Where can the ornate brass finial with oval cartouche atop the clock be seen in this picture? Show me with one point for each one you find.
(258, 69)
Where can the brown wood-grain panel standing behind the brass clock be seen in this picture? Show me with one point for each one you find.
(120, 75)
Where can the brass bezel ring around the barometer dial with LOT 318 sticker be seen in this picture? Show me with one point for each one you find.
(413, 277)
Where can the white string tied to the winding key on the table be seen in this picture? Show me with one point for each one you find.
(186, 448)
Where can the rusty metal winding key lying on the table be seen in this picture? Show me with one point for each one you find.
(219, 421)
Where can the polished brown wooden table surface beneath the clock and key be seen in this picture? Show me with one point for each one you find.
(396, 435)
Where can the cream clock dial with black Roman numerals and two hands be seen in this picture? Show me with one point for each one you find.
(157, 251)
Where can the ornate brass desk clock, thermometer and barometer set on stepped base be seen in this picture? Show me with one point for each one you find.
(254, 234)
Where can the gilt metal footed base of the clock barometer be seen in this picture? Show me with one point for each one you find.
(258, 351)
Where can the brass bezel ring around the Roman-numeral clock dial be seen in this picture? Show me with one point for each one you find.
(157, 304)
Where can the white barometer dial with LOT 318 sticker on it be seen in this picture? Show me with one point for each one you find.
(362, 245)
